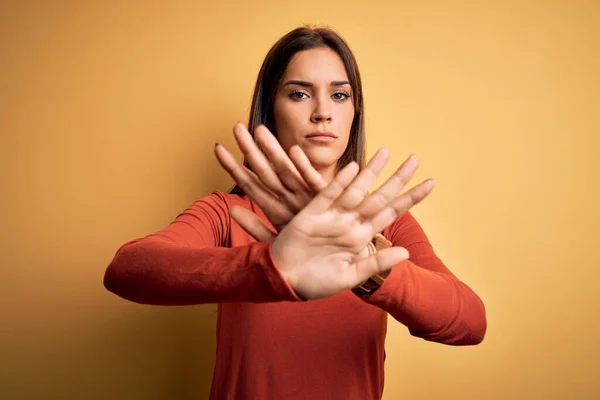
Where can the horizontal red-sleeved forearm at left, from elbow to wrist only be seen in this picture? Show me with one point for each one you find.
(150, 271)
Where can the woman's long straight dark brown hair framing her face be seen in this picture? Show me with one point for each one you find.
(272, 70)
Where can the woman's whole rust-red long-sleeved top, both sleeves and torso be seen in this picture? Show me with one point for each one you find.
(271, 344)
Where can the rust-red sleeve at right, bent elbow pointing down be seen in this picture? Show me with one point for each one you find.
(424, 295)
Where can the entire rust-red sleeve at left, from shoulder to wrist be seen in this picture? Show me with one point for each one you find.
(190, 262)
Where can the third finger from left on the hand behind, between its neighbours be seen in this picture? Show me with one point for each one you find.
(285, 168)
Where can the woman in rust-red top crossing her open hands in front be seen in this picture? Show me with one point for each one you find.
(292, 255)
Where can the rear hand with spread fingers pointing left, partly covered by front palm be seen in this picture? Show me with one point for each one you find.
(276, 185)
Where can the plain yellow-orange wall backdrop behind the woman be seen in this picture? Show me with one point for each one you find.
(109, 113)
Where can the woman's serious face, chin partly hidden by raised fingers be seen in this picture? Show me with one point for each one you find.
(314, 107)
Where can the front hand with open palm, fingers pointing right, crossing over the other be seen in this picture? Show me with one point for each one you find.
(317, 250)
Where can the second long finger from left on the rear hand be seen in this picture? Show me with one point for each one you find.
(257, 160)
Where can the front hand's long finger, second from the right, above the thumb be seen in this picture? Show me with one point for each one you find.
(378, 200)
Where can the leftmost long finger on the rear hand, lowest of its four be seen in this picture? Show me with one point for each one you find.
(252, 187)
